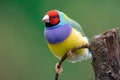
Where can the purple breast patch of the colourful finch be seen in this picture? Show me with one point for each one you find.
(57, 34)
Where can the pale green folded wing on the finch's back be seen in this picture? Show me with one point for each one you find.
(76, 26)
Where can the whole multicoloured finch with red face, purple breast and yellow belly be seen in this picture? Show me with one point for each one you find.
(63, 34)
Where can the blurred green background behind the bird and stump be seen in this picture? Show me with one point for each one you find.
(24, 54)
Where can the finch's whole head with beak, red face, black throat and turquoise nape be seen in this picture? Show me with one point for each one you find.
(54, 18)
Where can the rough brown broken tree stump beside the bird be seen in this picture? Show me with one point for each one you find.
(105, 50)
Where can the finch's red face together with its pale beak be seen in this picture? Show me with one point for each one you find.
(51, 17)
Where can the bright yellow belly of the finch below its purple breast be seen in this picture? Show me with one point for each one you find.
(75, 39)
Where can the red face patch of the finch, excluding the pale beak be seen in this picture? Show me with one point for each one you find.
(53, 17)
